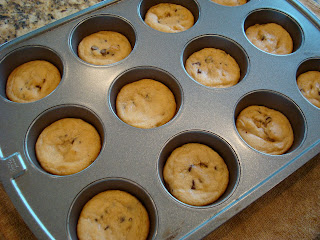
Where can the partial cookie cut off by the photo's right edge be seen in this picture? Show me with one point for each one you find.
(309, 85)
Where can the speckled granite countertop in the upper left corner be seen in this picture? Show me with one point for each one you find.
(18, 17)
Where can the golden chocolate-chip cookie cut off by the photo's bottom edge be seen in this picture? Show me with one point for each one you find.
(113, 214)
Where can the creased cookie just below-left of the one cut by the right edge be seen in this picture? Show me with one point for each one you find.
(265, 129)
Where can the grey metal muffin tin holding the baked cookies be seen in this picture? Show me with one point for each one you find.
(132, 159)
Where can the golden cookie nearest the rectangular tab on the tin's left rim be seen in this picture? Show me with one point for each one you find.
(67, 146)
